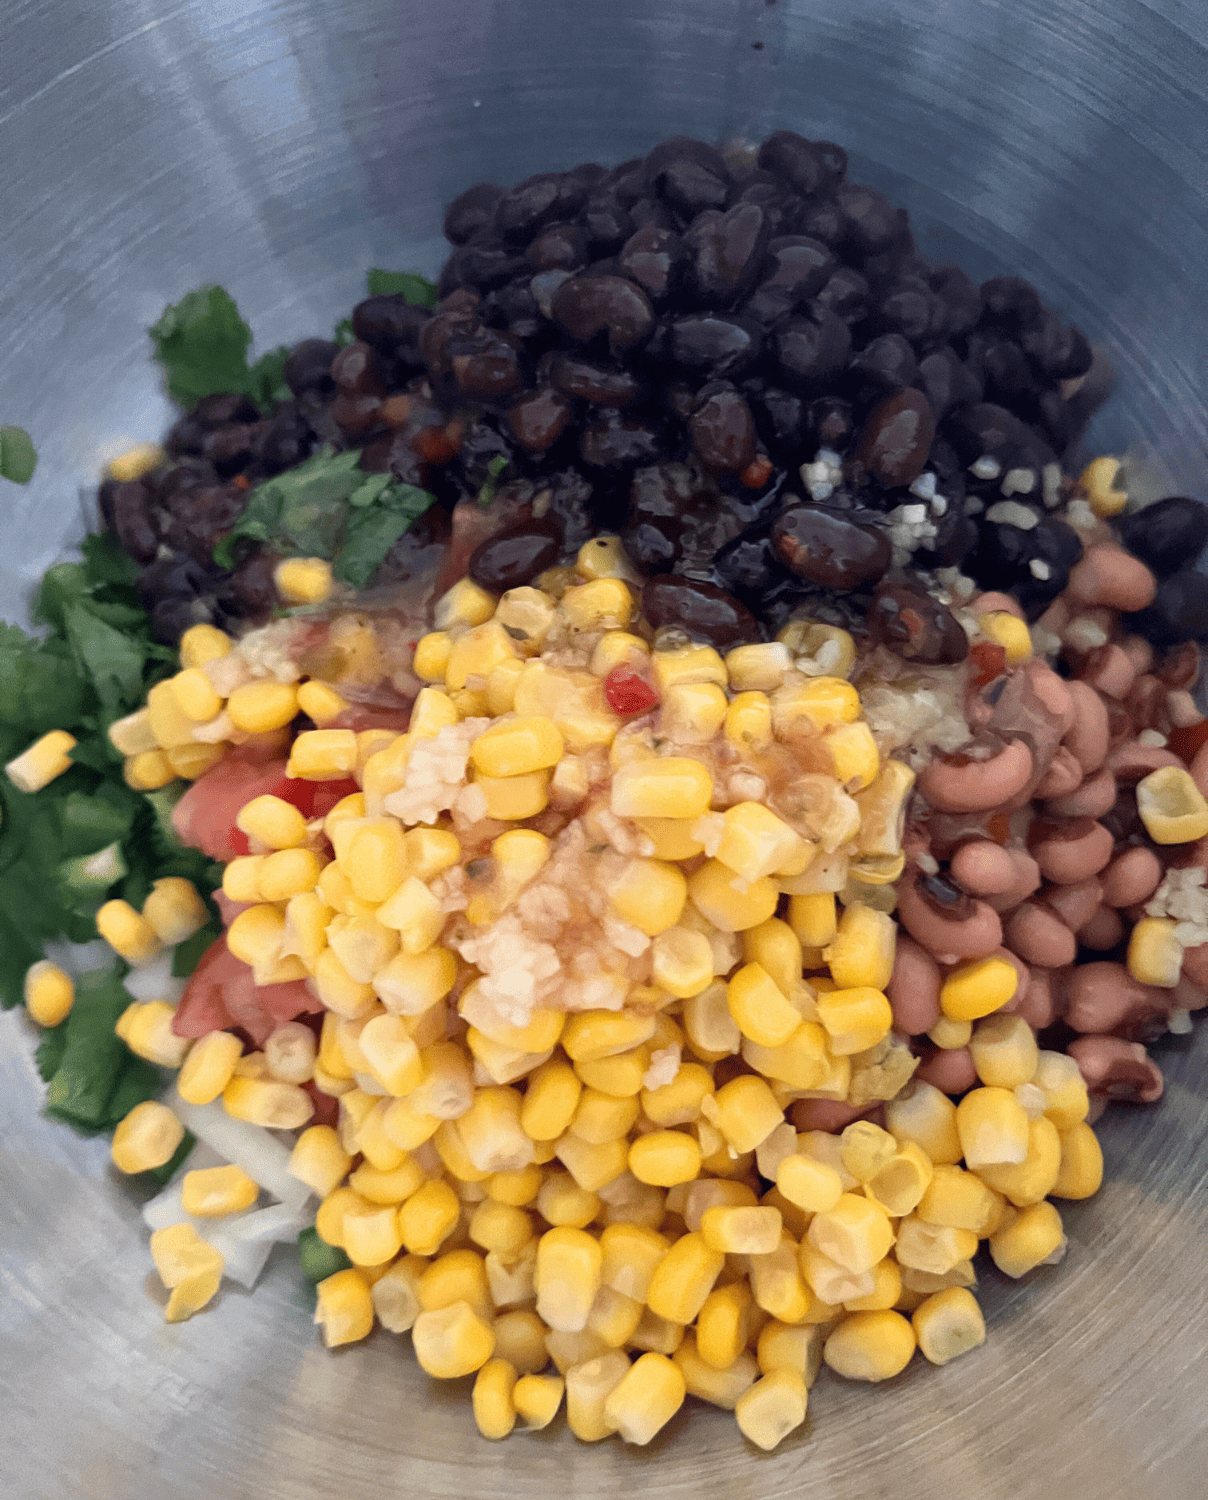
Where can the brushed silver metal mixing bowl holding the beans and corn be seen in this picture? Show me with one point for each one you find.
(283, 146)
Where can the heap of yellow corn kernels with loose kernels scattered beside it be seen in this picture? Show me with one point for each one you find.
(521, 1183)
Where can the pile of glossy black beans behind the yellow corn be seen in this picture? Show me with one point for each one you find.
(657, 350)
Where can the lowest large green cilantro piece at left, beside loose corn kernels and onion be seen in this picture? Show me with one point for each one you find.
(95, 1058)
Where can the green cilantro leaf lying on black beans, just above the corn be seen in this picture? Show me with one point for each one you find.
(301, 511)
